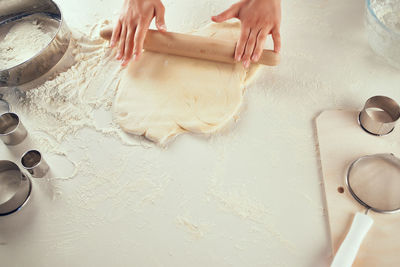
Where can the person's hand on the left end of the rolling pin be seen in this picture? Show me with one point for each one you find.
(130, 31)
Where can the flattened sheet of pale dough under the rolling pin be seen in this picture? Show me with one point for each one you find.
(161, 96)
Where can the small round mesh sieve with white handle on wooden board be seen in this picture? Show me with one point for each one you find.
(374, 182)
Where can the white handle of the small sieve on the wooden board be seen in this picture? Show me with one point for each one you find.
(348, 249)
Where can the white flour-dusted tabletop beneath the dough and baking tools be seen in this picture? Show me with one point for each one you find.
(251, 196)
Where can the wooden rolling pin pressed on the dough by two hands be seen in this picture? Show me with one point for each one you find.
(194, 46)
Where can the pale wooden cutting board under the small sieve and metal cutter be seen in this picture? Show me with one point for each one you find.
(341, 141)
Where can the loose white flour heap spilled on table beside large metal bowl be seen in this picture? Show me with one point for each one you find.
(66, 99)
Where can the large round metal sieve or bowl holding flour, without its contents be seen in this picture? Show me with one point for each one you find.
(14, 11)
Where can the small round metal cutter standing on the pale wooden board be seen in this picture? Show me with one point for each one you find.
(379, 115)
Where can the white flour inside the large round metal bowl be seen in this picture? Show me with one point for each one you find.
(24, 39)
